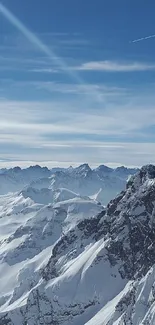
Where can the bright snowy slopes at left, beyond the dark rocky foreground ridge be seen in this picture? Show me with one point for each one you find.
(29, 231)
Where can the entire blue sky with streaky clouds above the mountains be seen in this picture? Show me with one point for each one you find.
(75, 84)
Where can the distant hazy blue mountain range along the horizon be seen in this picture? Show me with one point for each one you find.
(102, 183)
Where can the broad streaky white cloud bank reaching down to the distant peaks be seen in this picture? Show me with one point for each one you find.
(68, 134)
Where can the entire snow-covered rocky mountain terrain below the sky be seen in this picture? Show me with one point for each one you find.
(67, 259)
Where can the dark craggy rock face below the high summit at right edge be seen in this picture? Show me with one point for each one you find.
(132, 235)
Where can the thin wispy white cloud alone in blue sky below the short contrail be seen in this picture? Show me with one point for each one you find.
(114, 66)
